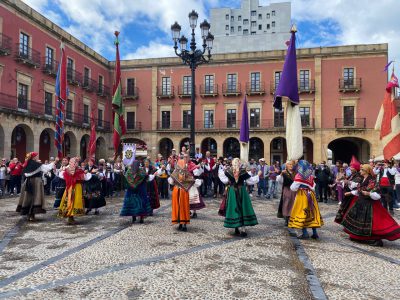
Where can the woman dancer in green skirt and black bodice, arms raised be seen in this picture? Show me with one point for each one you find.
(239, 210)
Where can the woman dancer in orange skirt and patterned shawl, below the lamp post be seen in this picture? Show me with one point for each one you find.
(182, 180)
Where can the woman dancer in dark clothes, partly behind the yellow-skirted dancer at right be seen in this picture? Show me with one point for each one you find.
(286, 178)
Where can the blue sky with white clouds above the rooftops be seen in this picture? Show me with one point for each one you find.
(145, 25)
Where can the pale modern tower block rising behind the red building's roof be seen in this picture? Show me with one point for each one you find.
(251, 27)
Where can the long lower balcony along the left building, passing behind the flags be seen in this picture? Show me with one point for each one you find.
(38, 110)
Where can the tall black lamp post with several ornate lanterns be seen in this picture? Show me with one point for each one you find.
(193, 58)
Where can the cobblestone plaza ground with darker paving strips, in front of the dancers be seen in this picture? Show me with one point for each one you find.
(106, 257)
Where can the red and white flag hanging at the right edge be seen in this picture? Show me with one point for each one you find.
(388, 122)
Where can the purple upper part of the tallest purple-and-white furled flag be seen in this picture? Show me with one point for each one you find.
(287, 86)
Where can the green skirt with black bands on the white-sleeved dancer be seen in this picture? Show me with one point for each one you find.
(239, 211)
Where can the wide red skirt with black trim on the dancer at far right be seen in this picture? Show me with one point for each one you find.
(383, 225)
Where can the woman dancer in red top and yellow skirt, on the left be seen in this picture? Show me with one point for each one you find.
(72, 201)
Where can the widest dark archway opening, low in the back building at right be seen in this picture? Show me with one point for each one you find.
(345, 147)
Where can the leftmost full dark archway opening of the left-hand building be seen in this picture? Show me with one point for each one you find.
(22, 141)
